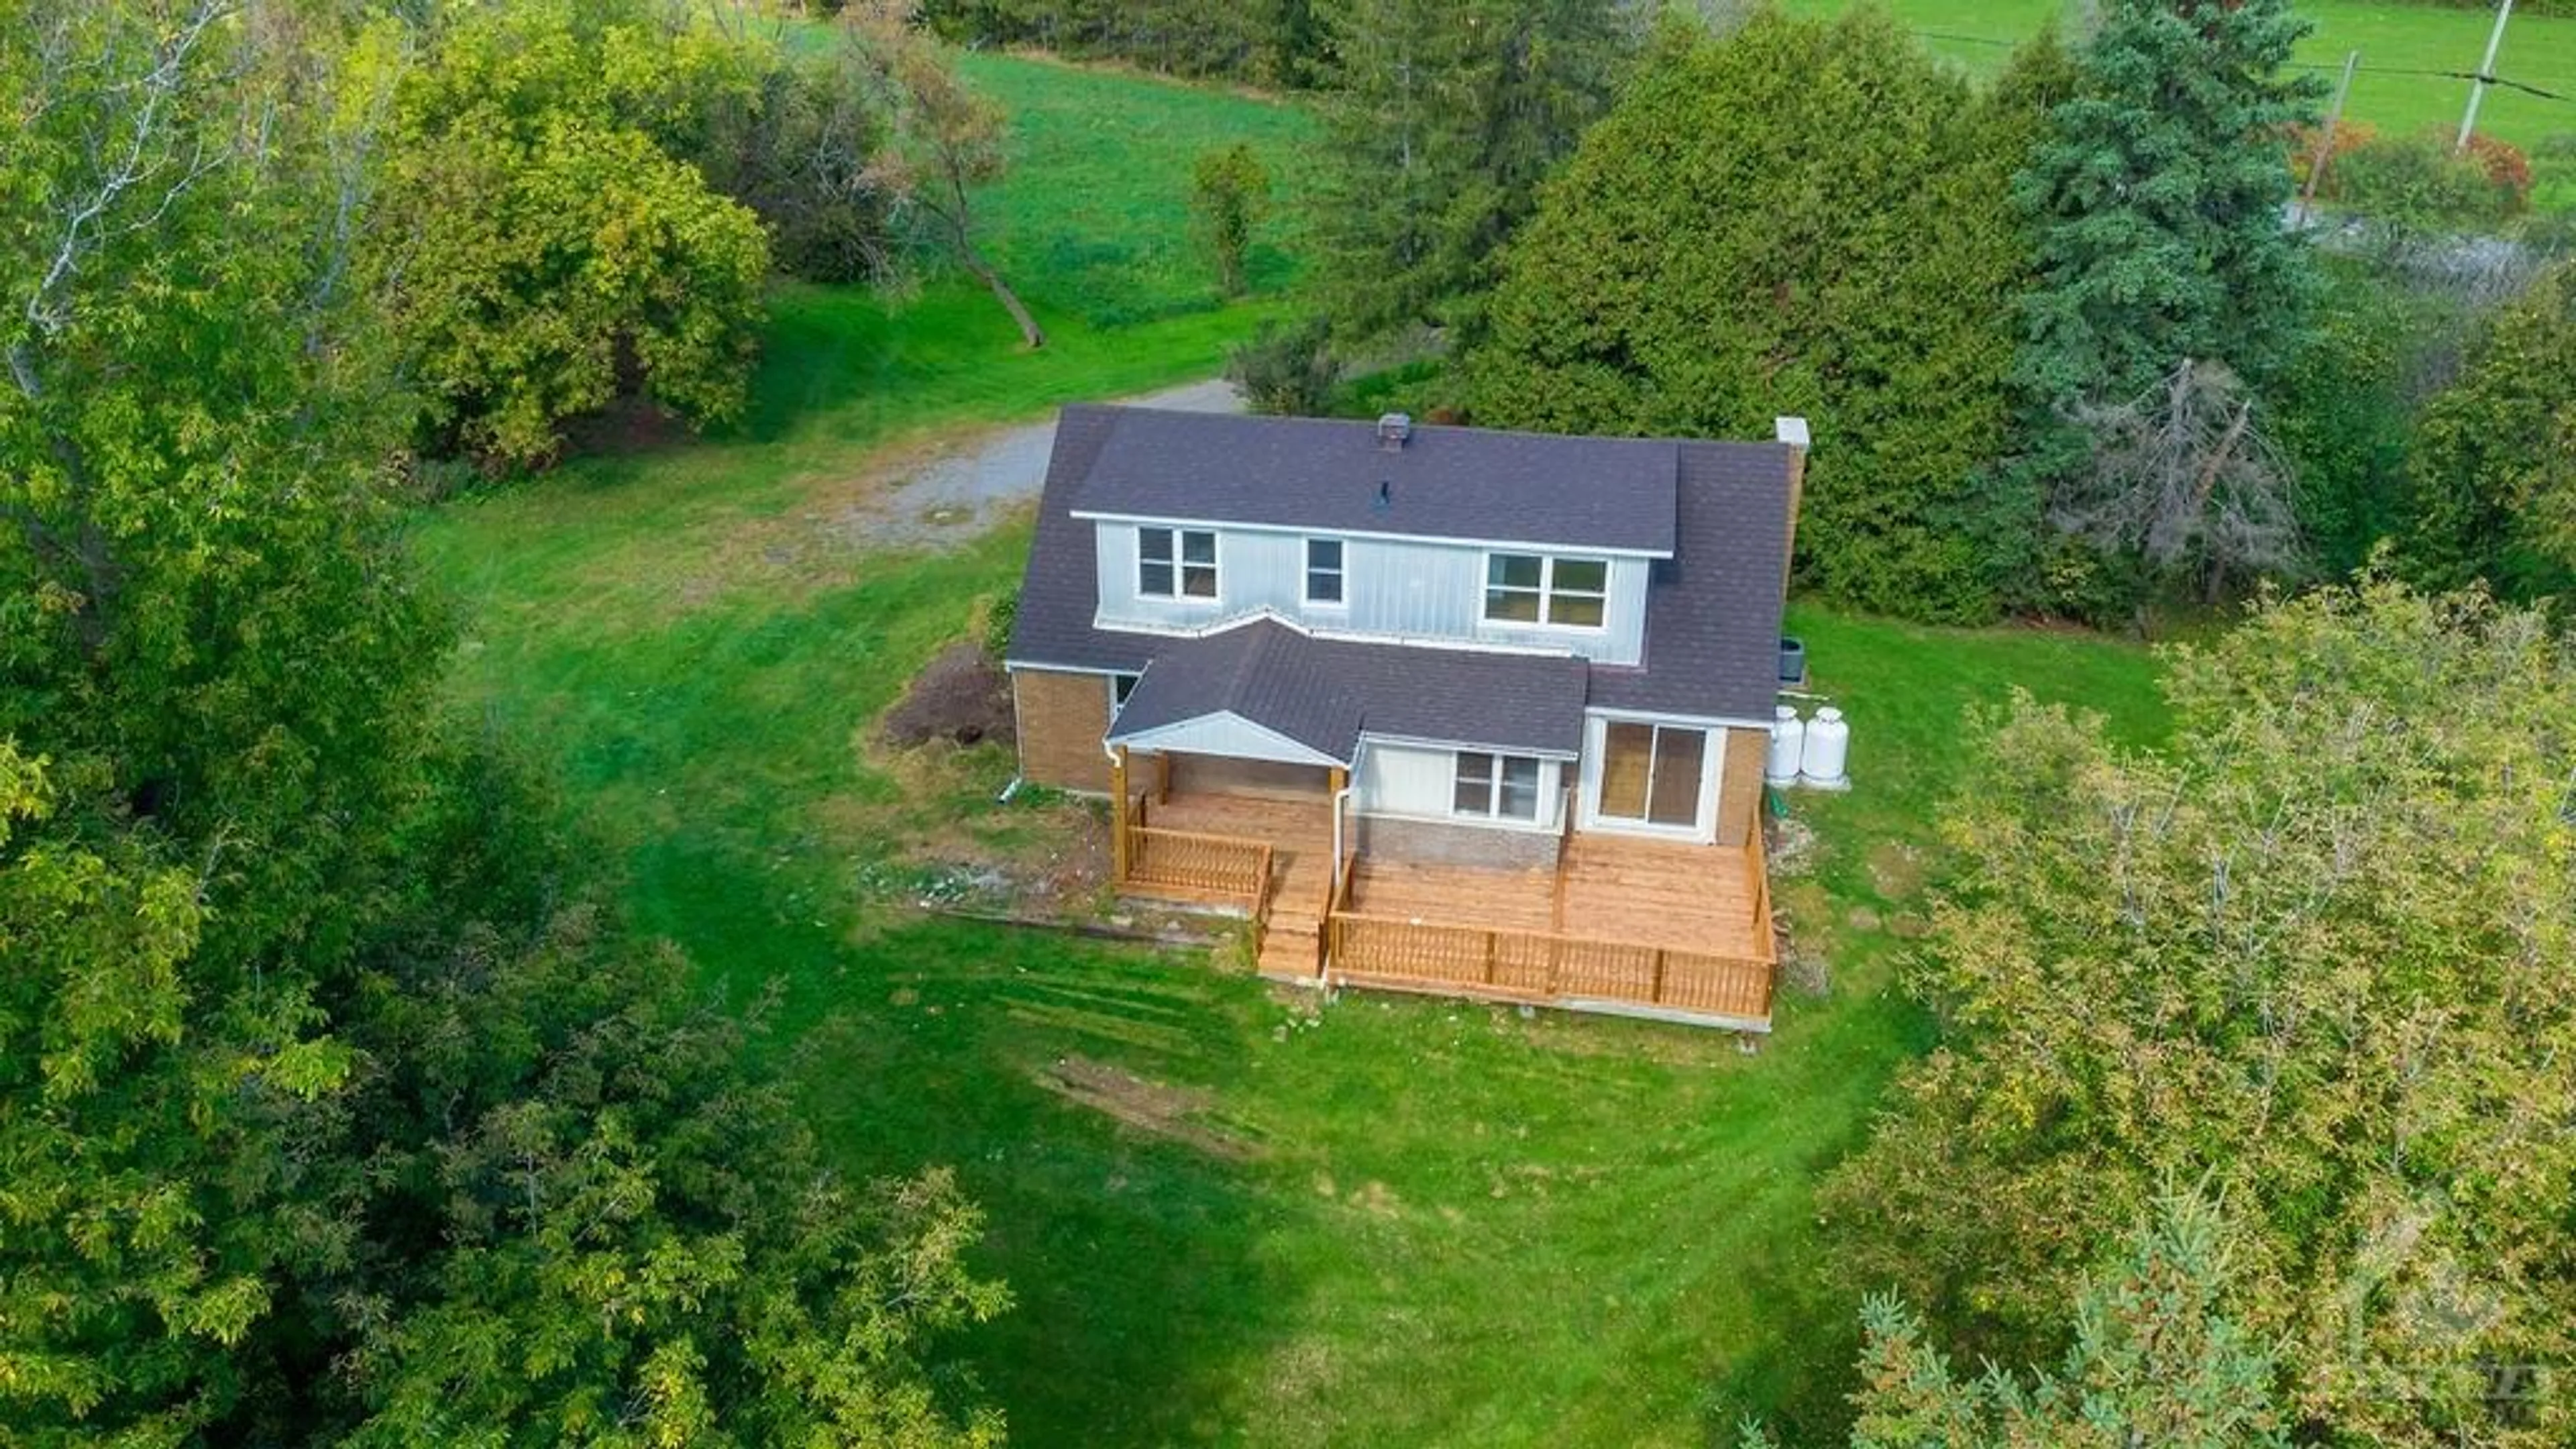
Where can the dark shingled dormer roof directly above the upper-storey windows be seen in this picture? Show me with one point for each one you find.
(1328, 473)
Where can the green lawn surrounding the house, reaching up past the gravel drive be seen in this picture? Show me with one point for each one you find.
(1374, 1223)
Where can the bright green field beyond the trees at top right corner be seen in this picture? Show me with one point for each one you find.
(2394, 40)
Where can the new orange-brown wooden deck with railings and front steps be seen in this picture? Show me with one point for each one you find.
(1624, 924)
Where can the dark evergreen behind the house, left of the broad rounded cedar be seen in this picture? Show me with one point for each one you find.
(1444, 120)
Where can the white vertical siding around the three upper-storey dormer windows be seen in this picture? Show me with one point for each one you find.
(1397, 589)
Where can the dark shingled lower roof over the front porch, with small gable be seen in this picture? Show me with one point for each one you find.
(1325, 692)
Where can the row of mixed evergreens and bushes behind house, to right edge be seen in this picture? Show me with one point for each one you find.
(2062, 344)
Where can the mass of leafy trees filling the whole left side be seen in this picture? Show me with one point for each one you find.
(336, 1102)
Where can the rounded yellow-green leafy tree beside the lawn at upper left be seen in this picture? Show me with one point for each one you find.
(547, 254)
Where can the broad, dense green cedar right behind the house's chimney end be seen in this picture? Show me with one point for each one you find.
(1804, 218)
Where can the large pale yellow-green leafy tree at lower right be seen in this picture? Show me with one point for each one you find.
(2315, 955)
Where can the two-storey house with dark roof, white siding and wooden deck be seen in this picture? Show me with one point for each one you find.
(1439, 708)
